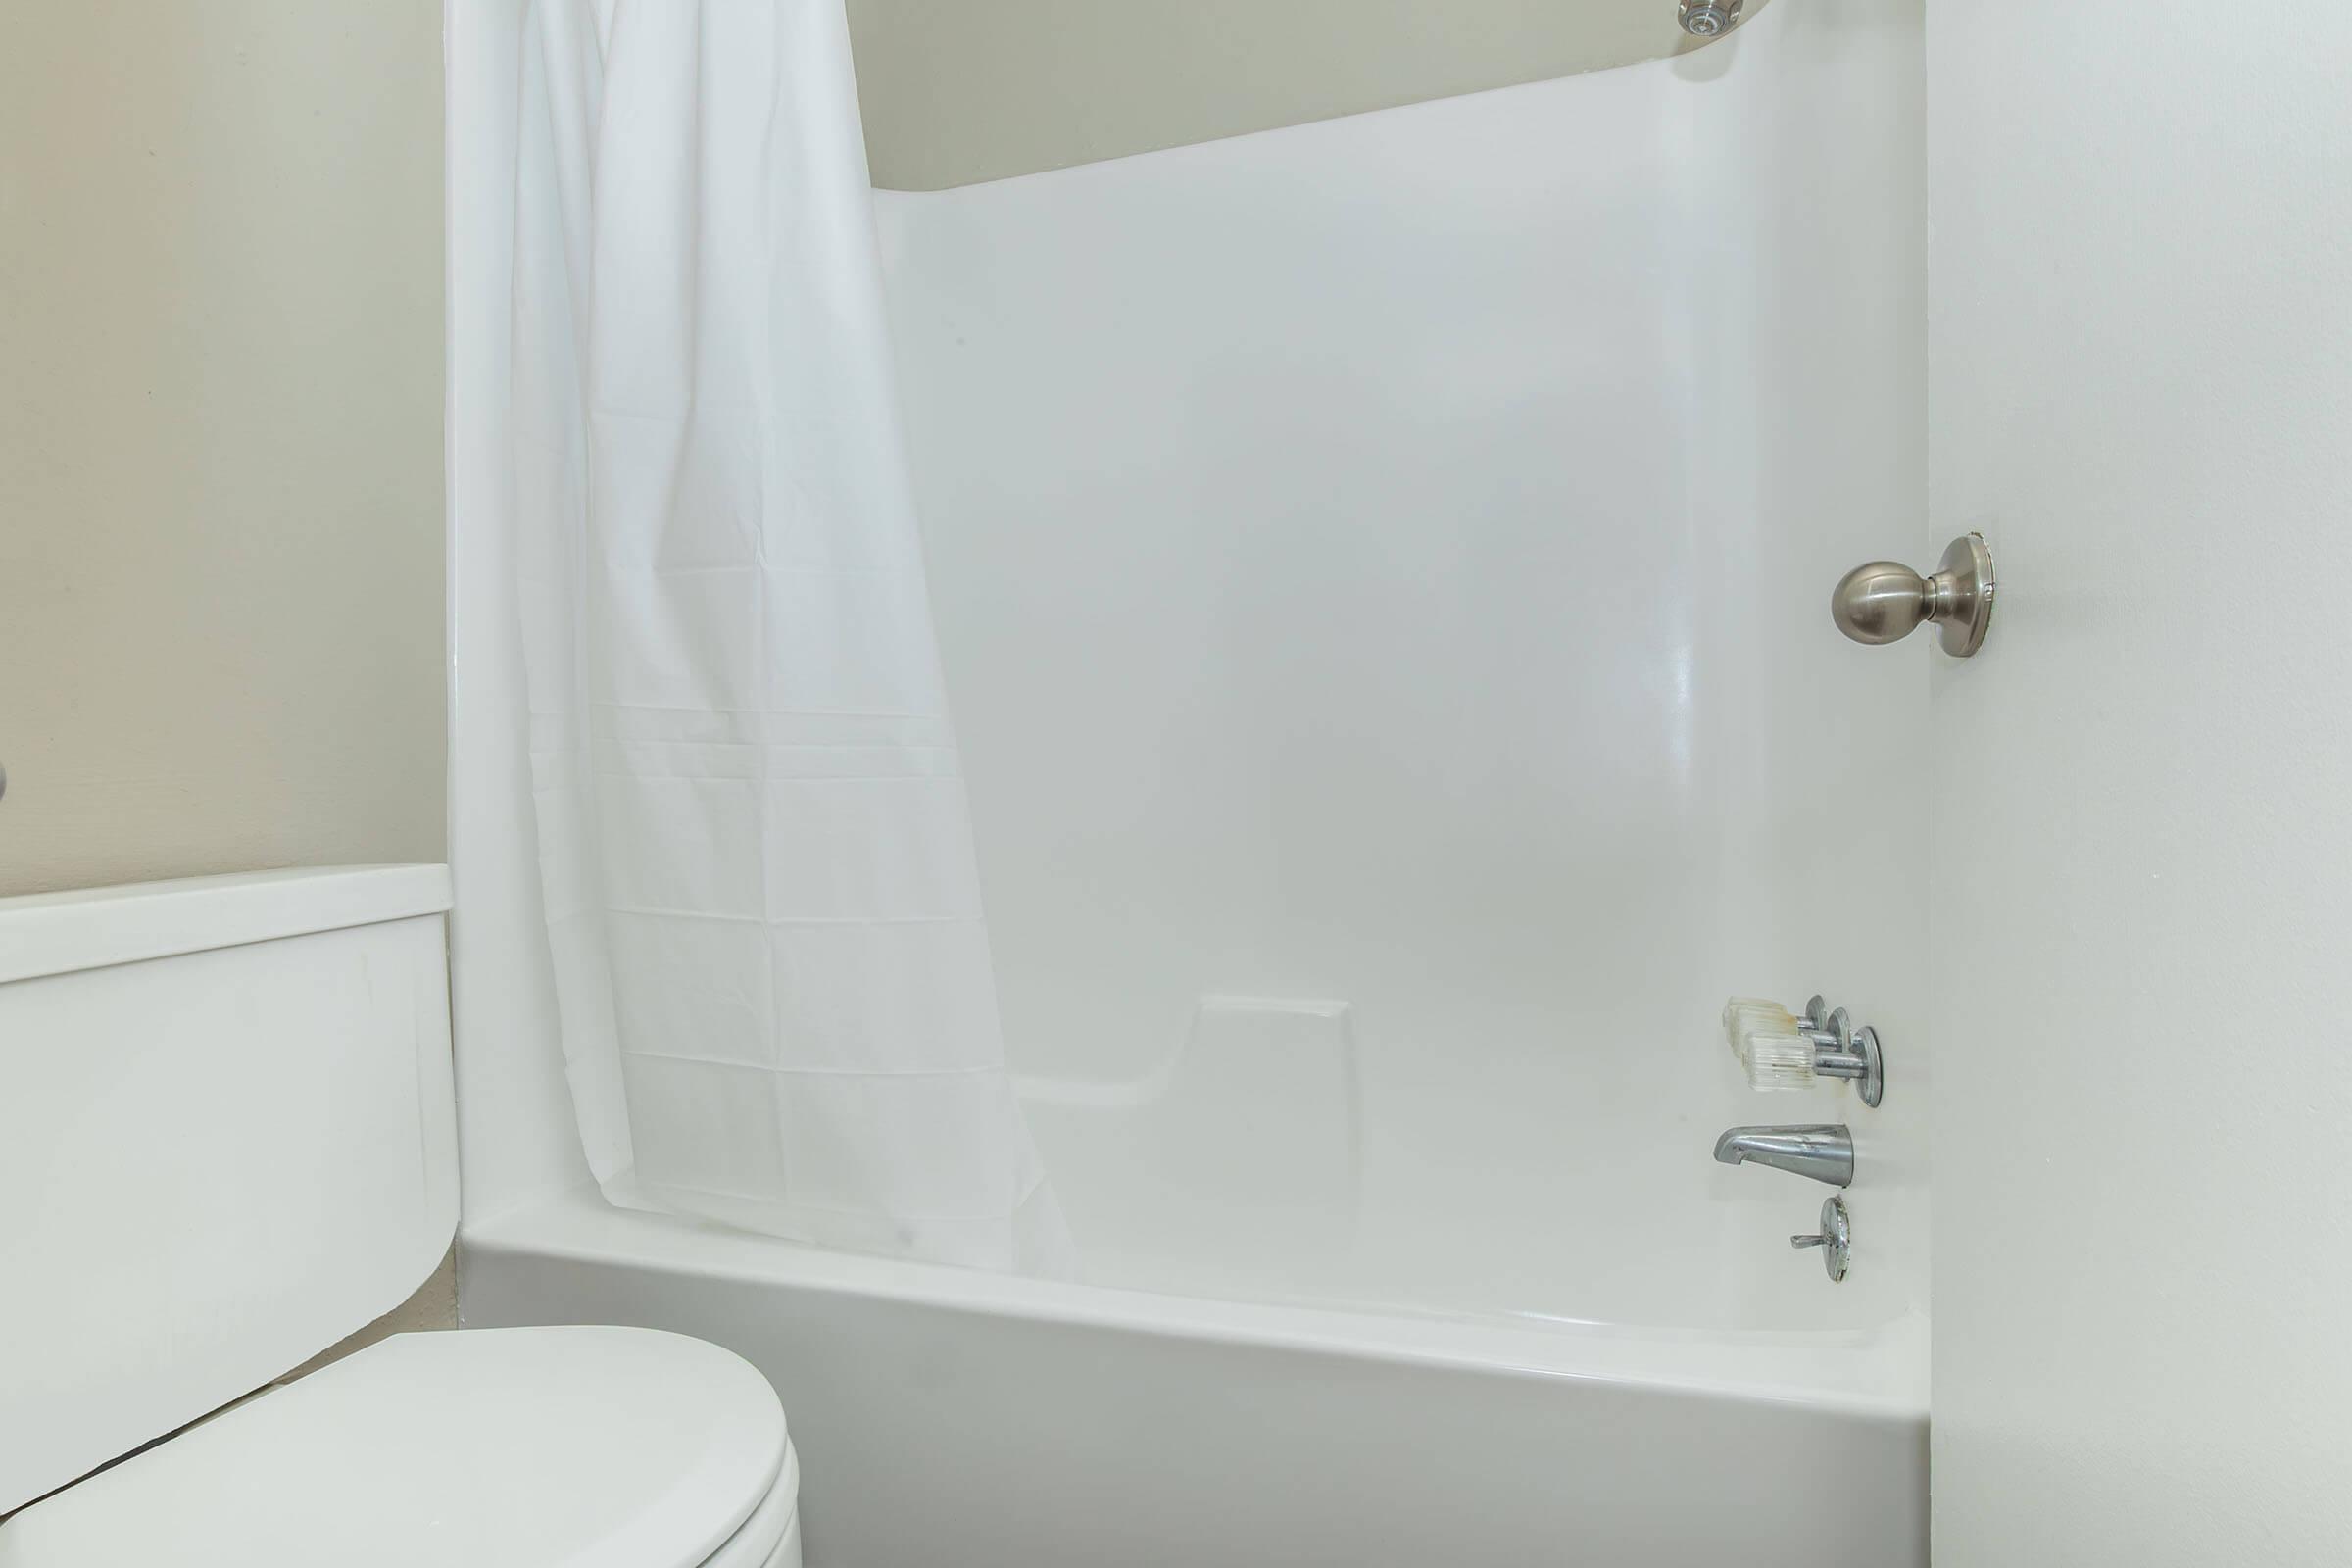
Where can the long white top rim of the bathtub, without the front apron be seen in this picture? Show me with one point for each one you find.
(1871, 1374)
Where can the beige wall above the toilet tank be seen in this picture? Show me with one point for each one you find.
(220, 438)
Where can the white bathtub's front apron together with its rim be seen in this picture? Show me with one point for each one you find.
(977, 1421)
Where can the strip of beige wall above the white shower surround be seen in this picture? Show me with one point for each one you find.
(968, 91)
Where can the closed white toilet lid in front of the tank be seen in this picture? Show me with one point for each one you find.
(474, 1449)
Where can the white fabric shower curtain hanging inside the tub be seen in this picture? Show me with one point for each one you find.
(761, 892)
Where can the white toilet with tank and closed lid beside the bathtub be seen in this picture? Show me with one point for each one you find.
(227, 1141)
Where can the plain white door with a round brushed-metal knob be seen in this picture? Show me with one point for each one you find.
(2141, 391)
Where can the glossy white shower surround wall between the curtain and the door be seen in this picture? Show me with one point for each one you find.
(1387, 563)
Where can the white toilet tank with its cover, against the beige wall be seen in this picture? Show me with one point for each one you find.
(227, 1141)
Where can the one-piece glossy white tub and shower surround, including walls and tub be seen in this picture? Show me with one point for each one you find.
(1382, 570)
